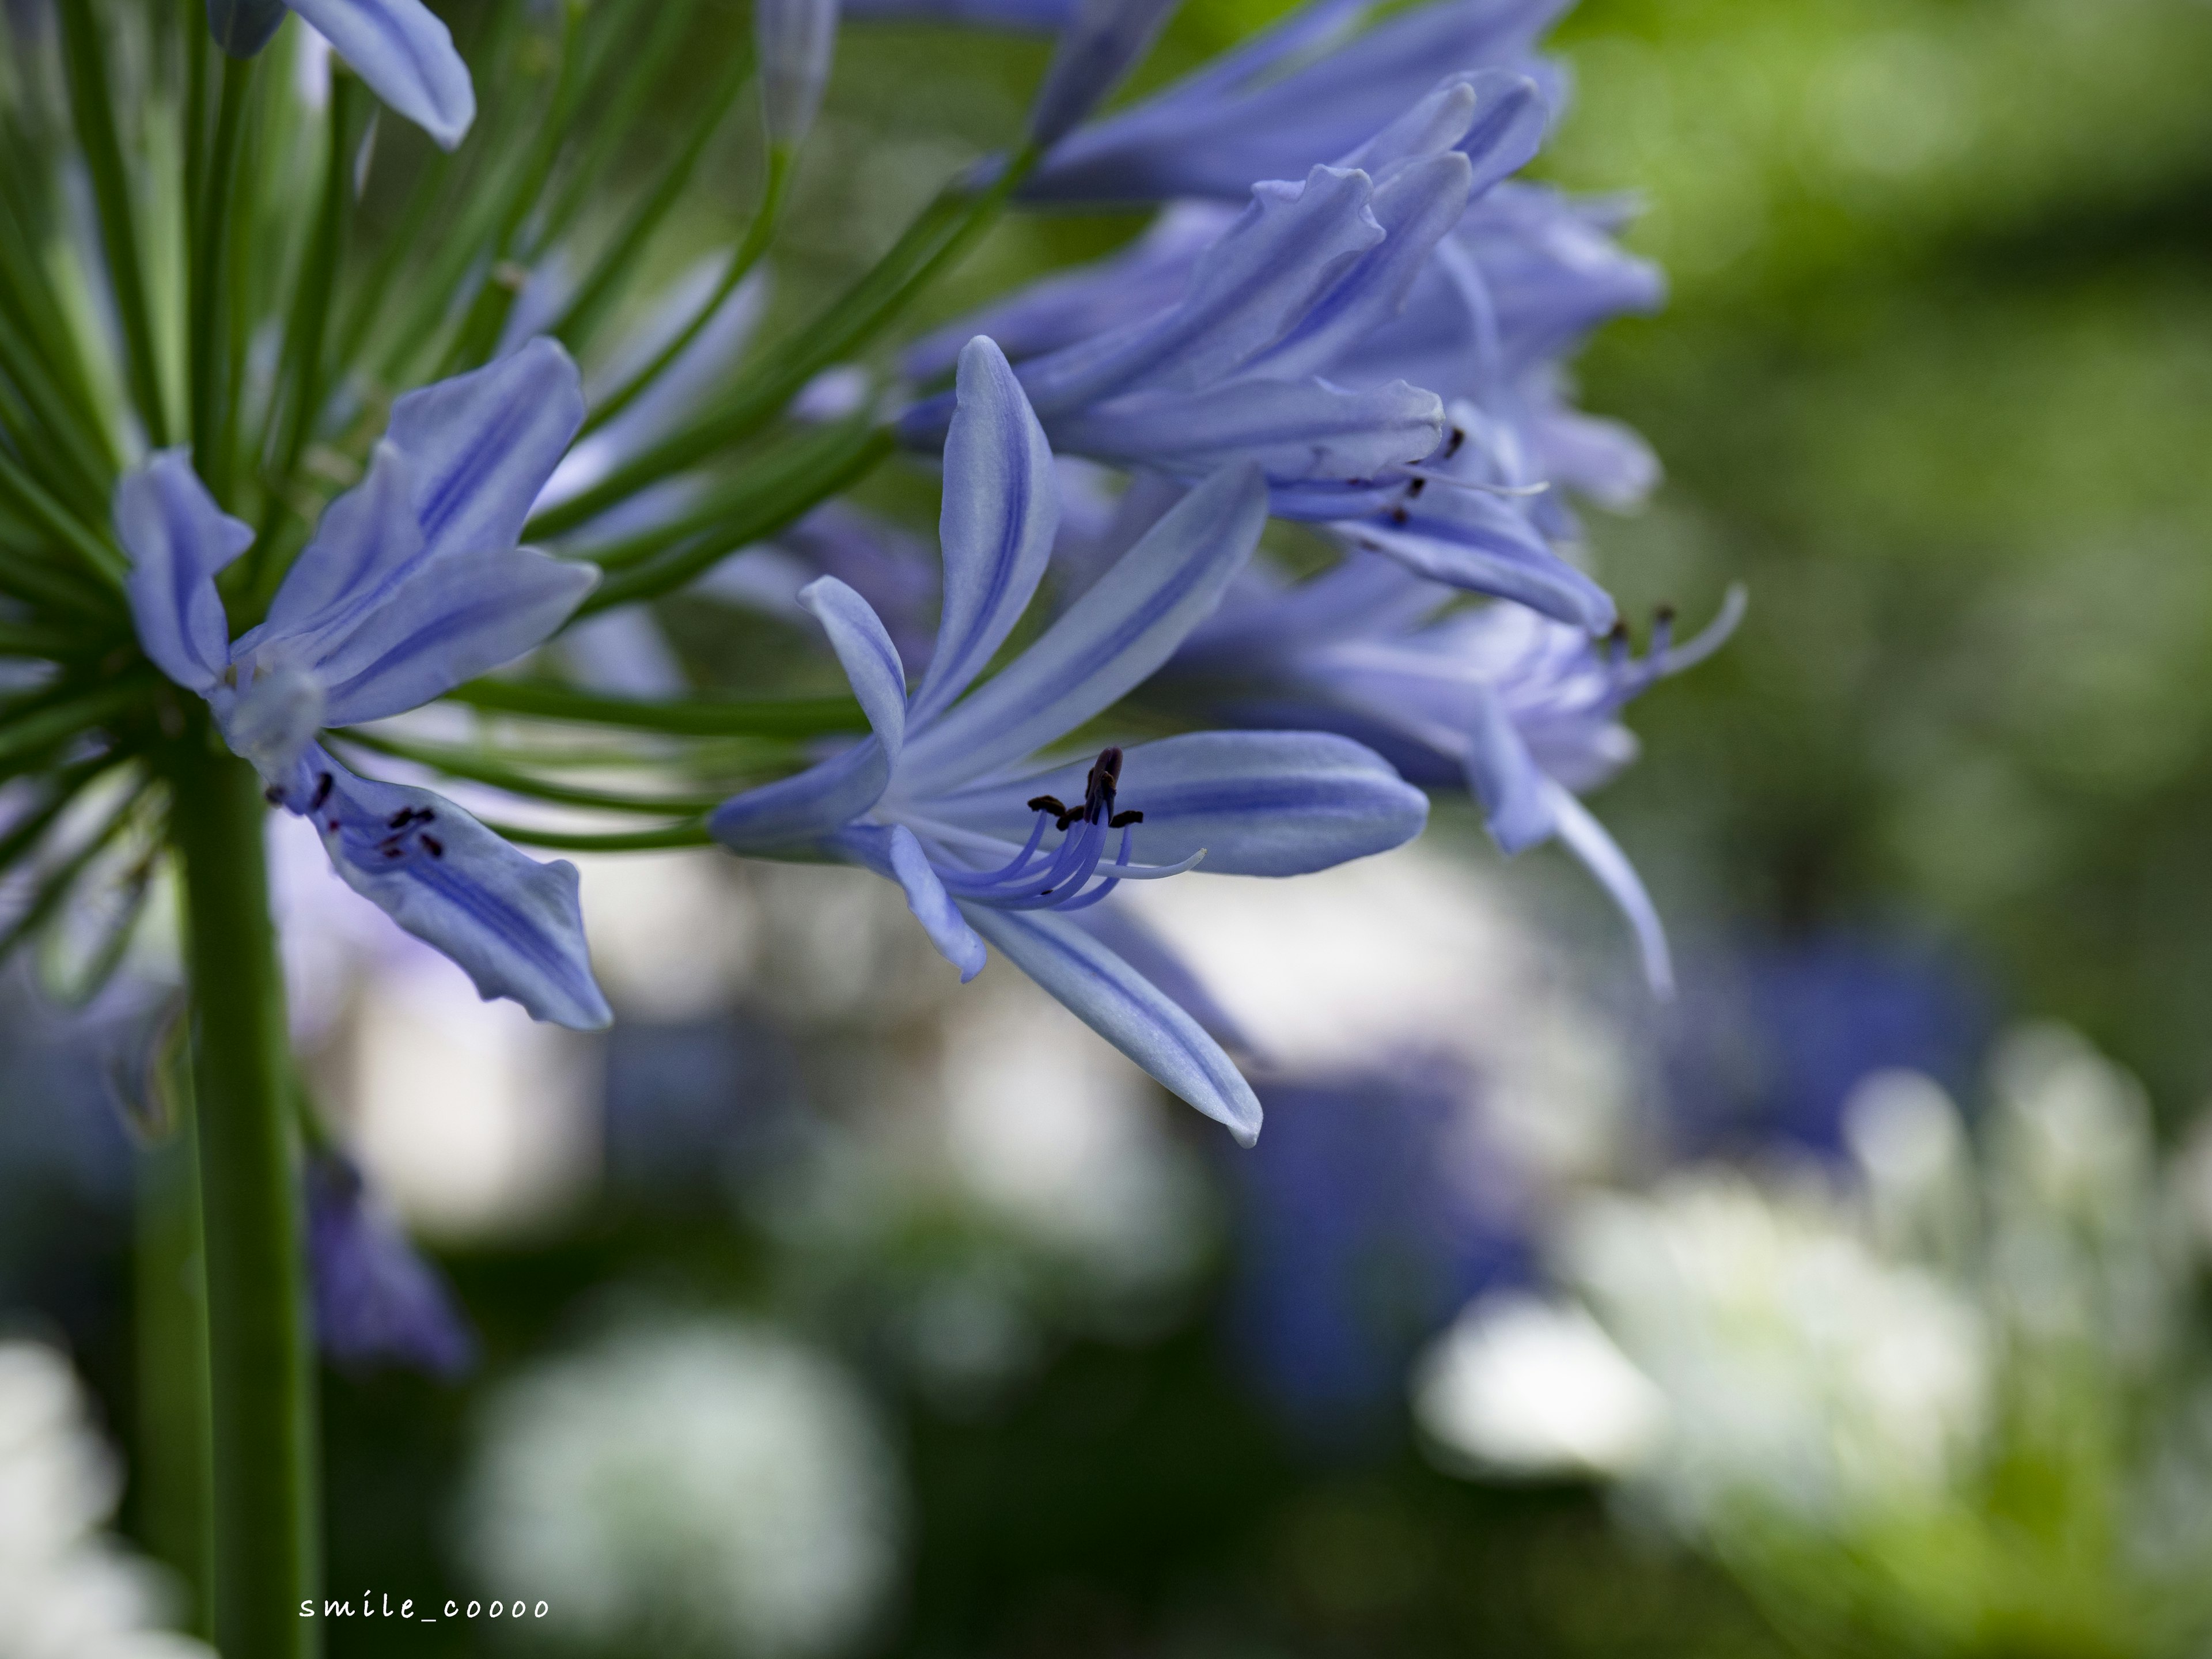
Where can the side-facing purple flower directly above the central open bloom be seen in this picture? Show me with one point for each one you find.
(1242, 366)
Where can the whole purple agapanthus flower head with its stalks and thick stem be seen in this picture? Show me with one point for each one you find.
(328, 477)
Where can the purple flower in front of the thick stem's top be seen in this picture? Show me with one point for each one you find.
(413, 585)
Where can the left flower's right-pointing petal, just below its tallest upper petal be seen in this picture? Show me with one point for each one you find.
(448, 623)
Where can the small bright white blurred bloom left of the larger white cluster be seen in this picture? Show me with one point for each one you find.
(1530, 1388)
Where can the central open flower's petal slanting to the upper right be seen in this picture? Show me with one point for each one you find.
(1107, 643)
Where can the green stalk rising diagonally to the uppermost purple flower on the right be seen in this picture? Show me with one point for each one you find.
(943, 231)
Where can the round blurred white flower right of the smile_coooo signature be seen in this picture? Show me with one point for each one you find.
(705, 1485)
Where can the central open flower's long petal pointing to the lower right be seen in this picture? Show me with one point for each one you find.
(1134, 1014)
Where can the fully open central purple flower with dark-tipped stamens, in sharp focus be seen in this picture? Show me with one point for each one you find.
(948, 802)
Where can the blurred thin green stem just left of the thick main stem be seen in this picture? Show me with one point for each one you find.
(176, 1474)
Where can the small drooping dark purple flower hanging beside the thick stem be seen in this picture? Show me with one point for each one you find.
(375, 1300)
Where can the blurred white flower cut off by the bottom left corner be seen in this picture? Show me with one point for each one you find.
(67, 1592)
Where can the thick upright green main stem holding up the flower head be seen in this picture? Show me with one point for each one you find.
(258, 1319)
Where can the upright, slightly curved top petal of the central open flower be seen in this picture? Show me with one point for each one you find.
(999, 523)
